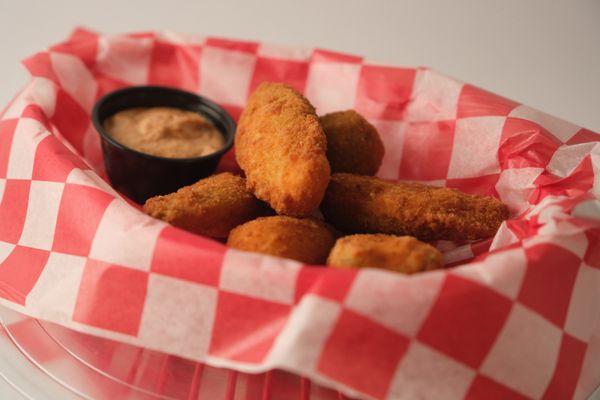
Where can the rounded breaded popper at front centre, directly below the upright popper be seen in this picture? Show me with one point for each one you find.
(304, 240)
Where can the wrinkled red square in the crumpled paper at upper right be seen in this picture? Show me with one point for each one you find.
(525, 144)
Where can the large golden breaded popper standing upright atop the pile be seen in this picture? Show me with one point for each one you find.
(281, 147)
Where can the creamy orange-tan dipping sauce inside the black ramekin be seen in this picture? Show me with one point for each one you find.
(165, 132)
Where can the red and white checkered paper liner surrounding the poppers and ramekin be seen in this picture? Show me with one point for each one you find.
(518, 319)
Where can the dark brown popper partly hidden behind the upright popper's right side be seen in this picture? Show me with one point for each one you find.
(353, 144)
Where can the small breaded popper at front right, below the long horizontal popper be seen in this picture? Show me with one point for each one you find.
(403, 254)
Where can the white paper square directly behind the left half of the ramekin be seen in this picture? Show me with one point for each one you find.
(124, 58)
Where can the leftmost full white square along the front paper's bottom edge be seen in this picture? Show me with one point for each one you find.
(63, 272)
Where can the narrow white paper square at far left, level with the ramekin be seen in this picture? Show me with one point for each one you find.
(28, 134)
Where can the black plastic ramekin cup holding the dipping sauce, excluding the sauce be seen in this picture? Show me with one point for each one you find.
(140, 176)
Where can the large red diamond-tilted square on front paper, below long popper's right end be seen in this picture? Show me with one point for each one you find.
(465, 320)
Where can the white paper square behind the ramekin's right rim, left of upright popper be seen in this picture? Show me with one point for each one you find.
(225, 75)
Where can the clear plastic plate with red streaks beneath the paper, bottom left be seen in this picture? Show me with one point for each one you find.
(43, 360)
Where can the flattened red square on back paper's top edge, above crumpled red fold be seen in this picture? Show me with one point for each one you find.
(476, 102)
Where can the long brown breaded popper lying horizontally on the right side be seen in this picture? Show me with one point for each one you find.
(356, 203)
